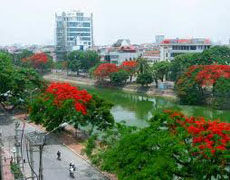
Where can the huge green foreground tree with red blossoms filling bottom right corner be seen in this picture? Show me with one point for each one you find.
(174, 146)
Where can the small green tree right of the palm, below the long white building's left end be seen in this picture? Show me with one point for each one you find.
(161, 69)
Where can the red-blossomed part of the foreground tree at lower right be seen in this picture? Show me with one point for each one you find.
(209, 137)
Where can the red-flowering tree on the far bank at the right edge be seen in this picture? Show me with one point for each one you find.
(201, 81)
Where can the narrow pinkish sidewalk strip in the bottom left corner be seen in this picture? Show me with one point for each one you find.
(7, 175)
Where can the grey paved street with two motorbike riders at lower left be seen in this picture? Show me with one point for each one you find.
(53, 169)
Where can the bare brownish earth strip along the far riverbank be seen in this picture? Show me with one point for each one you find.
(149, 91)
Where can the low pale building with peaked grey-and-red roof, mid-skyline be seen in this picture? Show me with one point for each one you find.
(119, 52)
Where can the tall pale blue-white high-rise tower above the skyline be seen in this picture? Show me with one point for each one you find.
(74, 31)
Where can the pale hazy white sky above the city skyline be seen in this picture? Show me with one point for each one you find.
(33, 21)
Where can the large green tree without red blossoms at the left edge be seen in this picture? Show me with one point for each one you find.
(16, 84)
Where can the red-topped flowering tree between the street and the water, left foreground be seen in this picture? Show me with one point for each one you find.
(62, 102)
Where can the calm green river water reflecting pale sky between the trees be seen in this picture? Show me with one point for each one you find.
(135, 108)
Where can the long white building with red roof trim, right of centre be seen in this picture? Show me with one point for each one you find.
(169, 48)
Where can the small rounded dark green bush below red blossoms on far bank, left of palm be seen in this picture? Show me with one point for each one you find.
(118, 78)
